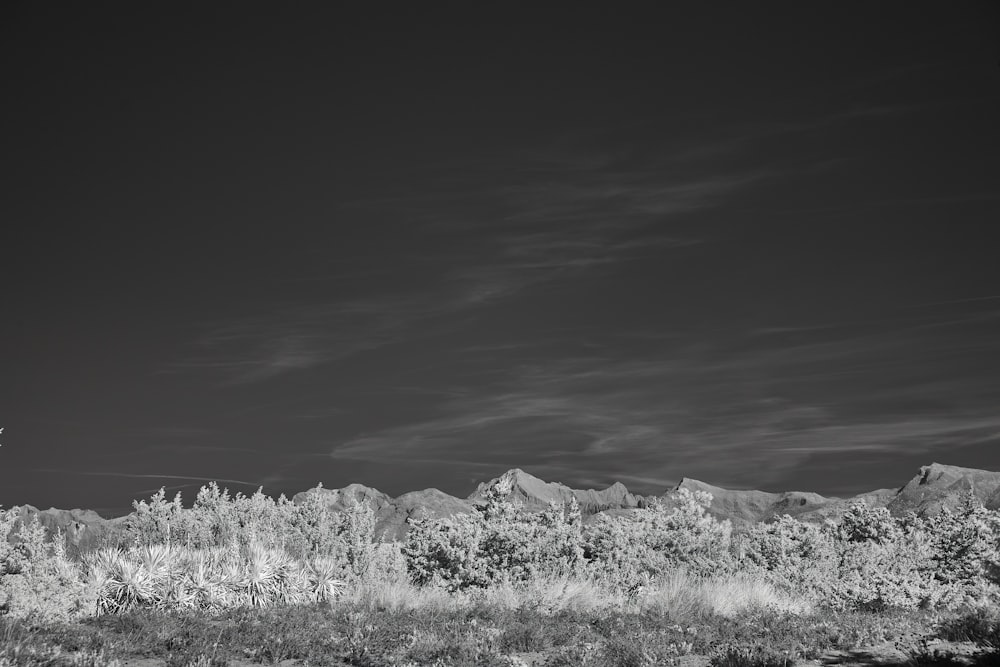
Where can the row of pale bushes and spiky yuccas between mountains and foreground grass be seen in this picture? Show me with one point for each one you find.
(229, 554)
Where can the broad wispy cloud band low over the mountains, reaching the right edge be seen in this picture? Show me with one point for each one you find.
(741, 409)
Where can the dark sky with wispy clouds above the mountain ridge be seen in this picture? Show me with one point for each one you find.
(417, 245)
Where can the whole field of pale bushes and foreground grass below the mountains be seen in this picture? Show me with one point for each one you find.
(252, 580)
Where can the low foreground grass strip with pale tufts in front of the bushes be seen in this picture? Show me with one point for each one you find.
(396, 624)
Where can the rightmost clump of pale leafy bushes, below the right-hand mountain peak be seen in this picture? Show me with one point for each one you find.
(870, 560)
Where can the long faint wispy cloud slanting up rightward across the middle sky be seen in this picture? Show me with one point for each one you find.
(493, 242)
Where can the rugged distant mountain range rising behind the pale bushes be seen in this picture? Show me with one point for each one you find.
(935, 486)
